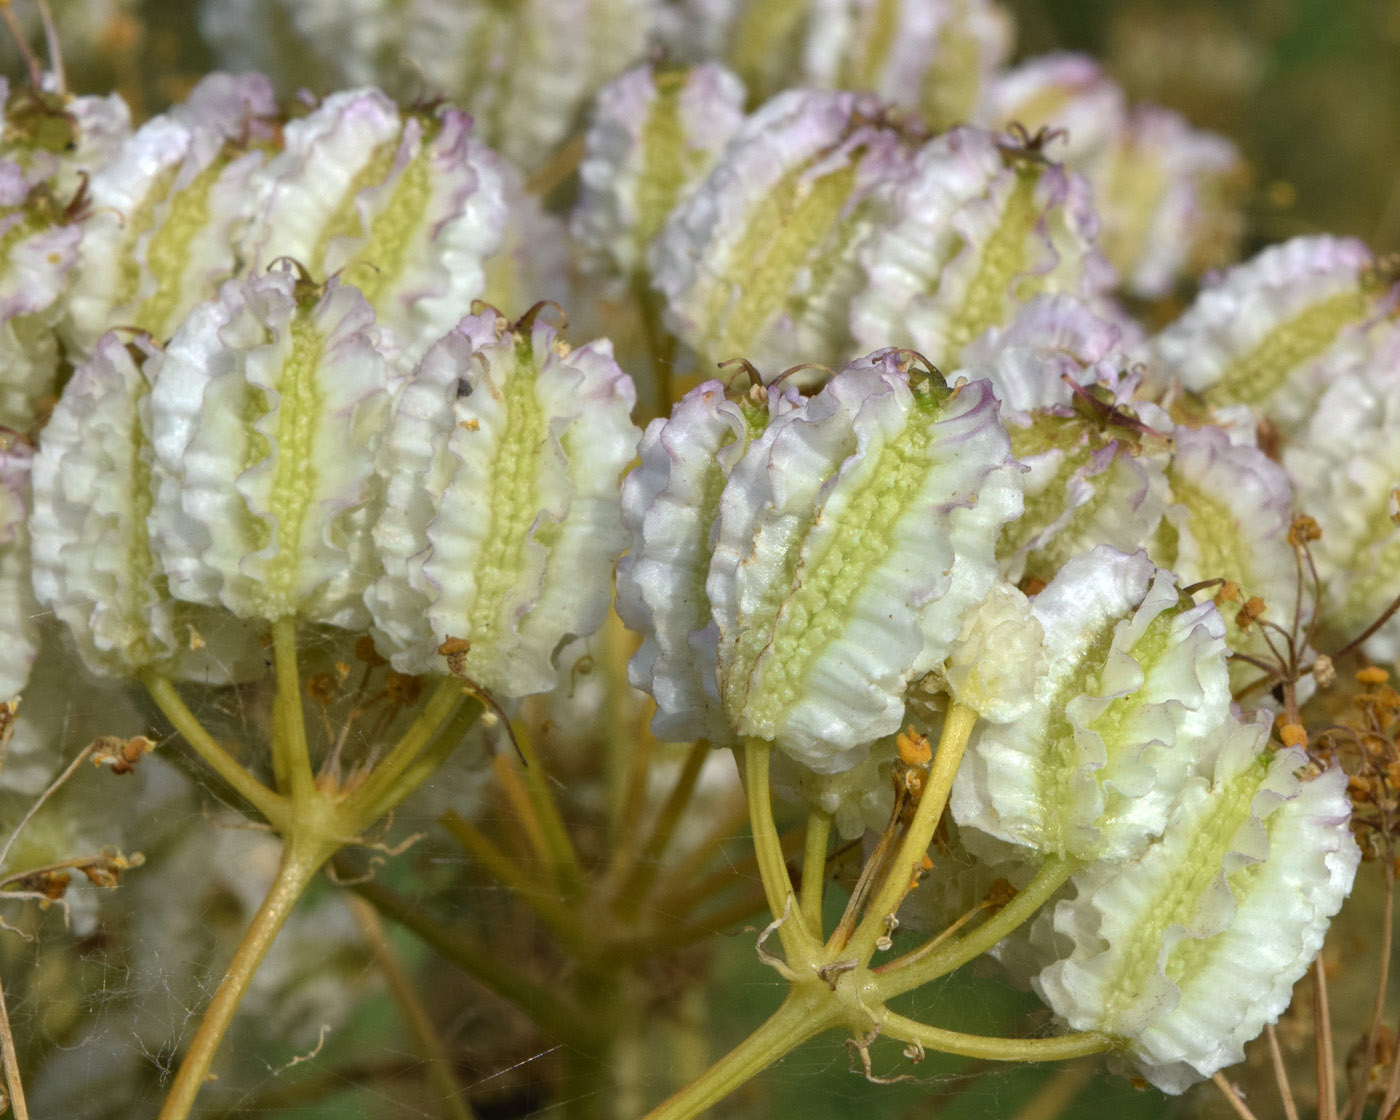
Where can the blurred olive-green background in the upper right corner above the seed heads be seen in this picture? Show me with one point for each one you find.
(1308, 89)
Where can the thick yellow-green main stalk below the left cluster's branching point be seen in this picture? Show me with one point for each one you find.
(300, 863)
